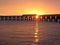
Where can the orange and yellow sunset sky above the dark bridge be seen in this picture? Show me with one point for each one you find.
(19, 7)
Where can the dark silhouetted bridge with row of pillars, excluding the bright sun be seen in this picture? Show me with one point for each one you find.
(50, 18)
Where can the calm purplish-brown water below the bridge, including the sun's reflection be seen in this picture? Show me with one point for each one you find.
(29, 33)
